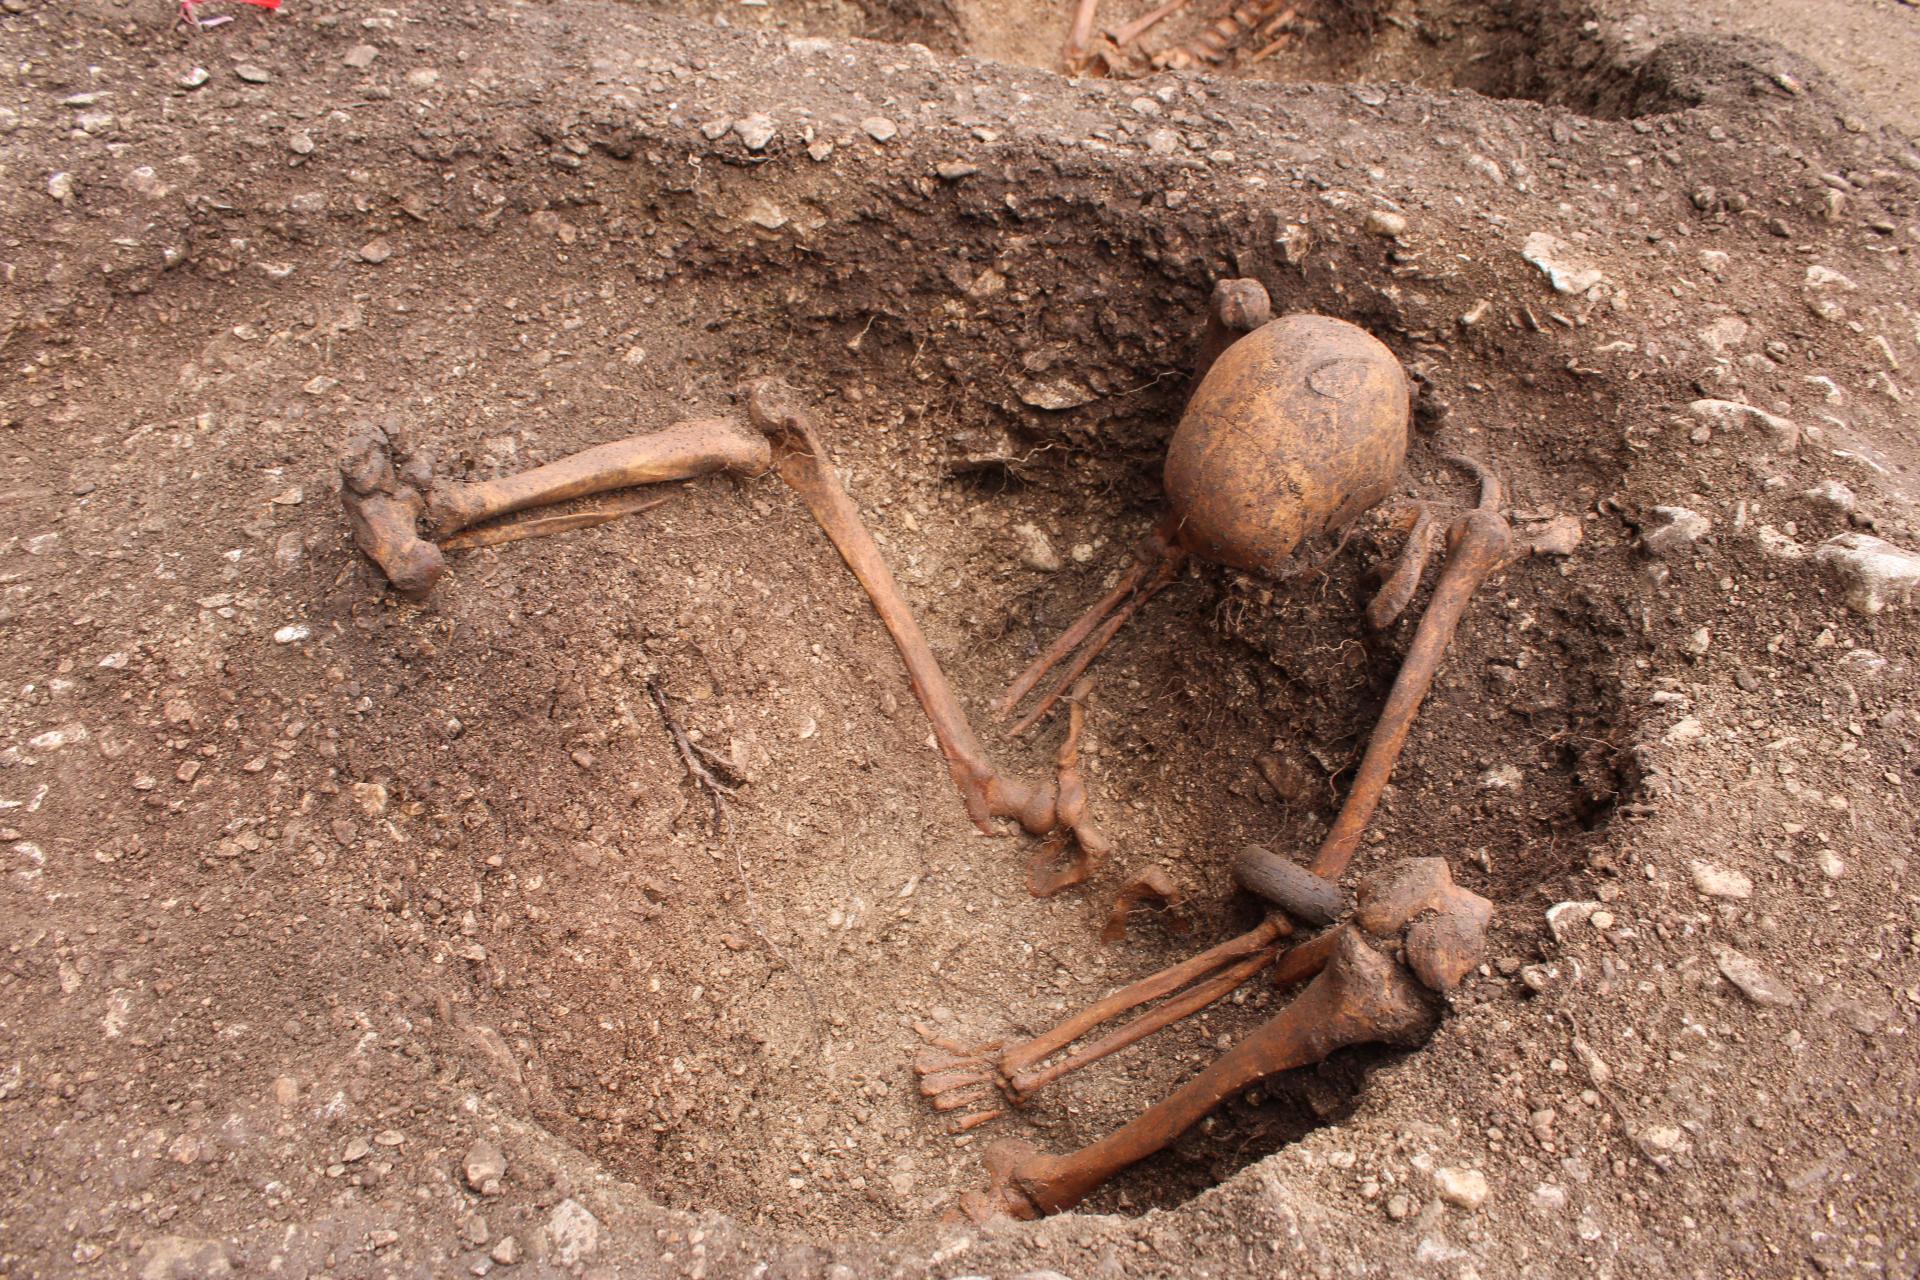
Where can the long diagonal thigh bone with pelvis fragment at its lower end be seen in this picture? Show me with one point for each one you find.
(1055, 811)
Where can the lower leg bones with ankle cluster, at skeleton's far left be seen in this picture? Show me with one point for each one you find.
(385, 510)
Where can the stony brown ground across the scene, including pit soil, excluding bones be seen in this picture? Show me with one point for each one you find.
(310, 891)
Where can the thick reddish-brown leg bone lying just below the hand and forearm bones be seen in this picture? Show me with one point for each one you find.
(1358, 999)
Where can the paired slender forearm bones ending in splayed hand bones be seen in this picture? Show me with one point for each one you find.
(951, 1078)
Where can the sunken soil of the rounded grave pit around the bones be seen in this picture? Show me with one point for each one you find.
(725, 1010)
